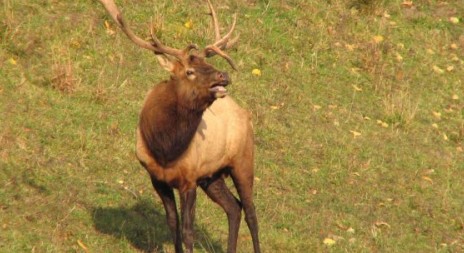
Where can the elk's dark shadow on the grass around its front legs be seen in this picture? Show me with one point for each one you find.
(144, 226)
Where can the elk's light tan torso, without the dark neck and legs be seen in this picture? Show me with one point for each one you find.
(224, 135)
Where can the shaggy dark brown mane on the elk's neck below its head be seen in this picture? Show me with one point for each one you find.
(169, 120)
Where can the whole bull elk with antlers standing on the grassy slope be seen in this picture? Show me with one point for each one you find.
(190, 134)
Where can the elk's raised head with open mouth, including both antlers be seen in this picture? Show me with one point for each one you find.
(187, 66)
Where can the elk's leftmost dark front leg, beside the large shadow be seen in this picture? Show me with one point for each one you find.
(167, 197)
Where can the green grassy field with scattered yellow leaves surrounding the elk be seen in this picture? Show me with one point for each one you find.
(358, 113)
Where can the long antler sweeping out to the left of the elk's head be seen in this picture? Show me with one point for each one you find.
(157, 46)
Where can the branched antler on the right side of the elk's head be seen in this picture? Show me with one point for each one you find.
(223, 43)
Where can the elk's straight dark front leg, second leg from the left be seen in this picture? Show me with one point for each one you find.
(188, 199)
